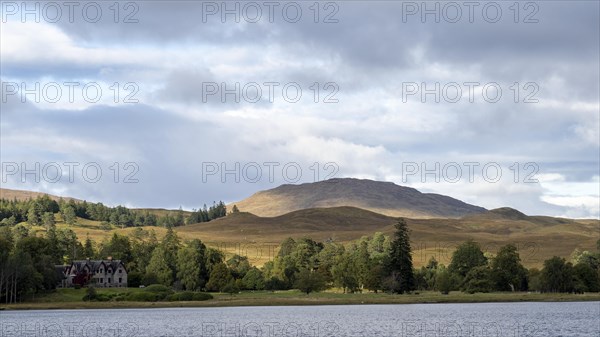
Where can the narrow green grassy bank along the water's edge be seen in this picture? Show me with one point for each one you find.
(72, 299)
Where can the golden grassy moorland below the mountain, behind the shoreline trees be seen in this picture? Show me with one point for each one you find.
(258, 238)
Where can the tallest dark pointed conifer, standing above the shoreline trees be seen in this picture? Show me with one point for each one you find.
(400, 260)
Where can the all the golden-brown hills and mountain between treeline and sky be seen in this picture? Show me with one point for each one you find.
(257, 236)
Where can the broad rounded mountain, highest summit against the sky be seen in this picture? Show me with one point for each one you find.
(381, 197)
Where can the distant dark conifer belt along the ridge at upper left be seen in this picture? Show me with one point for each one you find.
(41, 211)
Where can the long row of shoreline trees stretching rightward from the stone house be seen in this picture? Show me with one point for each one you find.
(374, 263)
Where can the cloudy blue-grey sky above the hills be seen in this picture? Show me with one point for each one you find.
(168, 104)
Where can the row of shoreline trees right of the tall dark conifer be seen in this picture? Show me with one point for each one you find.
(470, 270)
